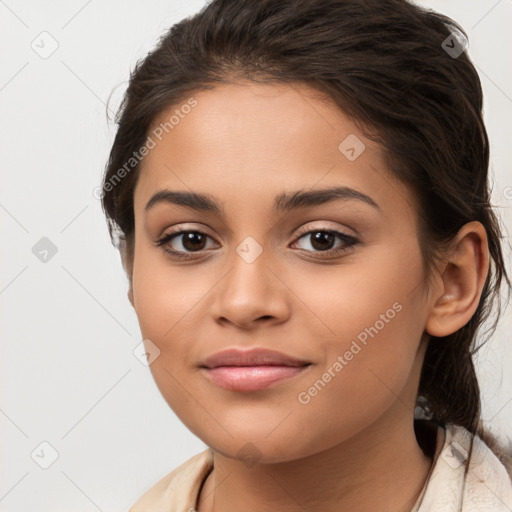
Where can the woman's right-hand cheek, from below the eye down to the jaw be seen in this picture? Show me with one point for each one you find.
(368, 325)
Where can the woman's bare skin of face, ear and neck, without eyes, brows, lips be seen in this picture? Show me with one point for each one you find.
(353, 446)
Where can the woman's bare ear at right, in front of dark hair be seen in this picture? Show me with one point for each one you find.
(466, 266)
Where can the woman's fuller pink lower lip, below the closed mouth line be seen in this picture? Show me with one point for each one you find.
(251, 378)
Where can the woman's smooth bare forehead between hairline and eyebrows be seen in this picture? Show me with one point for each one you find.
(248, 142)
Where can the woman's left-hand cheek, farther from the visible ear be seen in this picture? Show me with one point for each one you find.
(168, 301)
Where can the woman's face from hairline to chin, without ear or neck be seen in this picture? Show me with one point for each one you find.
(334, 280)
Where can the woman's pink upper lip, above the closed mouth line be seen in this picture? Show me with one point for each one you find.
(253, 357)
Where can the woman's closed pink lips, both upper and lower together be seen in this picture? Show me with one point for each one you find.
(251, 370)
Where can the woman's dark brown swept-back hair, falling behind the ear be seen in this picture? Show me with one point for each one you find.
(386, 64)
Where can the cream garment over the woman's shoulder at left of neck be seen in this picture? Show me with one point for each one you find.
(178, 490)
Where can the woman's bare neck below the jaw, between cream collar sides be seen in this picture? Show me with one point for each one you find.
(381, 468)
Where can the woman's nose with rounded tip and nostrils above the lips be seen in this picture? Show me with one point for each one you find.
(251, 294)
